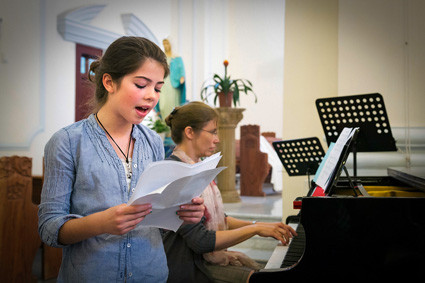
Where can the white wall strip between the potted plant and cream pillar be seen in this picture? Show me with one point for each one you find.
(256, 38)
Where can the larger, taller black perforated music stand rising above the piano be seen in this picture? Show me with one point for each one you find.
(366, 111)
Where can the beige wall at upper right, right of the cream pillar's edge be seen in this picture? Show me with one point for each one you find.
(381, 49)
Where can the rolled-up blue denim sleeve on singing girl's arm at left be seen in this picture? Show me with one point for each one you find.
(59, 176)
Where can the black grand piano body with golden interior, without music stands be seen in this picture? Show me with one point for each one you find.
(379, 233)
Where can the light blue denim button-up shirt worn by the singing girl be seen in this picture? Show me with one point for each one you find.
(84, 175)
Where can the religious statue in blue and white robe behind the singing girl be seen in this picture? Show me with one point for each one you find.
(173, 93)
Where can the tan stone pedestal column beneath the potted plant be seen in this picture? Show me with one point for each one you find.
(226, 181)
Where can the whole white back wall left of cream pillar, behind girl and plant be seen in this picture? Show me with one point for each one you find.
(37, 83)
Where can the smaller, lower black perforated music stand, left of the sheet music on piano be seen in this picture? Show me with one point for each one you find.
(300, 157)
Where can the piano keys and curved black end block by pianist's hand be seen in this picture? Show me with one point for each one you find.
(285, 256)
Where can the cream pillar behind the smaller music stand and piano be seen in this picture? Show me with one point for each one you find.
(311, 61)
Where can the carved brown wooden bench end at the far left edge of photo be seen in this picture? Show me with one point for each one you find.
(18, 217)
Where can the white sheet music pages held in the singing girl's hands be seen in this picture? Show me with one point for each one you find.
(168, 184)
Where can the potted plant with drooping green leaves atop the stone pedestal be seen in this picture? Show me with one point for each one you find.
(226, 89)
